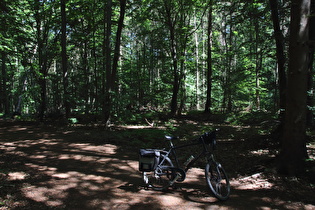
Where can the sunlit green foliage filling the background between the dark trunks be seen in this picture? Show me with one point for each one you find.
(242, 54)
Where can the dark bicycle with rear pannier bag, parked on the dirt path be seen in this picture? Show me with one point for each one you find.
(159, 172)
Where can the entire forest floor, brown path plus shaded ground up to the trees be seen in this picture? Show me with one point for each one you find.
(88, 167)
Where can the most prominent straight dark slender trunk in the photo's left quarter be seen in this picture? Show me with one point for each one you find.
(64, 59)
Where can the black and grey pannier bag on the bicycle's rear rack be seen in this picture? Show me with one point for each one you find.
(148, 159)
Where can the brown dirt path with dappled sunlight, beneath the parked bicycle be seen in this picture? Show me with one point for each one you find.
(46, 167)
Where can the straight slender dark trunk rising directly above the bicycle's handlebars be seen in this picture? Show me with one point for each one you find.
(209, 60)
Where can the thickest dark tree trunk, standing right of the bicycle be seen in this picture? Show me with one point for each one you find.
(293, 151)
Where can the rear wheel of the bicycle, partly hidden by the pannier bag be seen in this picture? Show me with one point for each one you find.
(159, 178)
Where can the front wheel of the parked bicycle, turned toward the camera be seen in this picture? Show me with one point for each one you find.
(217, 180)
